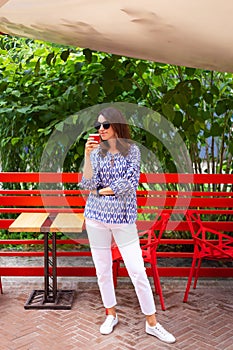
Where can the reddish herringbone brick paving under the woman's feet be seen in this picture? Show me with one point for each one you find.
(204, 323)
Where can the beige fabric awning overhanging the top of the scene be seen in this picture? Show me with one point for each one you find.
(197, 33)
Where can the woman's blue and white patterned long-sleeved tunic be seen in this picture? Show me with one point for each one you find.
(121, 174)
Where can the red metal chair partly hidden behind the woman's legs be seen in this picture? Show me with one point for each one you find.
(148, 252)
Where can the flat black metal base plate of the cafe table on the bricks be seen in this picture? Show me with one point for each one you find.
(63, 300)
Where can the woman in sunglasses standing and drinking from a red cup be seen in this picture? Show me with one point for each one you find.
(111, 173)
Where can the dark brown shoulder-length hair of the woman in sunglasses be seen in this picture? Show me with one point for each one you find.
(120, 127)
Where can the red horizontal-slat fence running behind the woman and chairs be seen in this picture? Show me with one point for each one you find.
(210, 194)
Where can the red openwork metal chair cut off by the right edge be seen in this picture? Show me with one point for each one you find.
(208, 244)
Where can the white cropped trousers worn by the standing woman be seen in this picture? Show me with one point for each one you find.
(101, 236)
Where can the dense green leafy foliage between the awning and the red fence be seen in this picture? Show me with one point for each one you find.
(41, 84)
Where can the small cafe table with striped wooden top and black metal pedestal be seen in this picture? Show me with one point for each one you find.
(49, 224)
